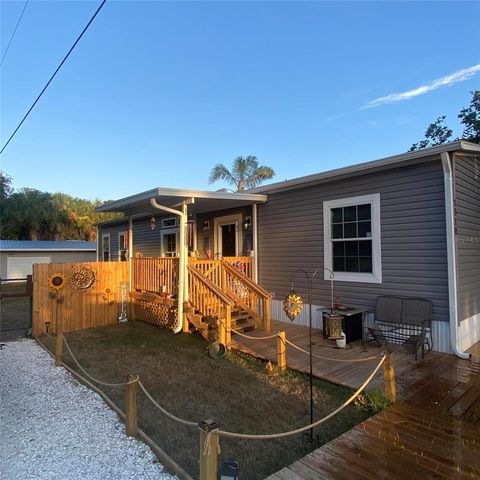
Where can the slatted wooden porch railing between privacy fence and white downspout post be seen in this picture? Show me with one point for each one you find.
(155, 274)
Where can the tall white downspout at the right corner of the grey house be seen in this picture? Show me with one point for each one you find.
(451, 255)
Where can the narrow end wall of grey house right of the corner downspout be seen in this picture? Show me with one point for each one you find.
(467, 240)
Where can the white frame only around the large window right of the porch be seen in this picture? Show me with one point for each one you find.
(376, 275)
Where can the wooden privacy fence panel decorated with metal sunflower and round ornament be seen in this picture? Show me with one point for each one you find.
(74, 296)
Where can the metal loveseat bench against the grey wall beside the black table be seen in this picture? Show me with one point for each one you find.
(402, 320)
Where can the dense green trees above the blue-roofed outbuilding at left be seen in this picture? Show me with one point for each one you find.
(29, 214)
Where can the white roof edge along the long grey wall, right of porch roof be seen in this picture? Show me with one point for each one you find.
(407, 158)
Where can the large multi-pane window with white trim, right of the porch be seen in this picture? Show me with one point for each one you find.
(352, 246)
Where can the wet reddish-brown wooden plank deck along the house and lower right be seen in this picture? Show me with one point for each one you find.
(433, 431)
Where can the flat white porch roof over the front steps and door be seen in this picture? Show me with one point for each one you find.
(203, 201)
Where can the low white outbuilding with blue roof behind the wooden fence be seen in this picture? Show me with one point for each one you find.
(18, 256)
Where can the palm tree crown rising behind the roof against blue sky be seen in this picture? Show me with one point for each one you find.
(246, 173)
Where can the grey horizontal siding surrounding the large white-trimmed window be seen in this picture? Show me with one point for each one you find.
(413, 237)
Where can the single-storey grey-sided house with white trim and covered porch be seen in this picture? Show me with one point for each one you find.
(407, 225)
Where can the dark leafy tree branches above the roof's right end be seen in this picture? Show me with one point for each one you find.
(437, 133)
